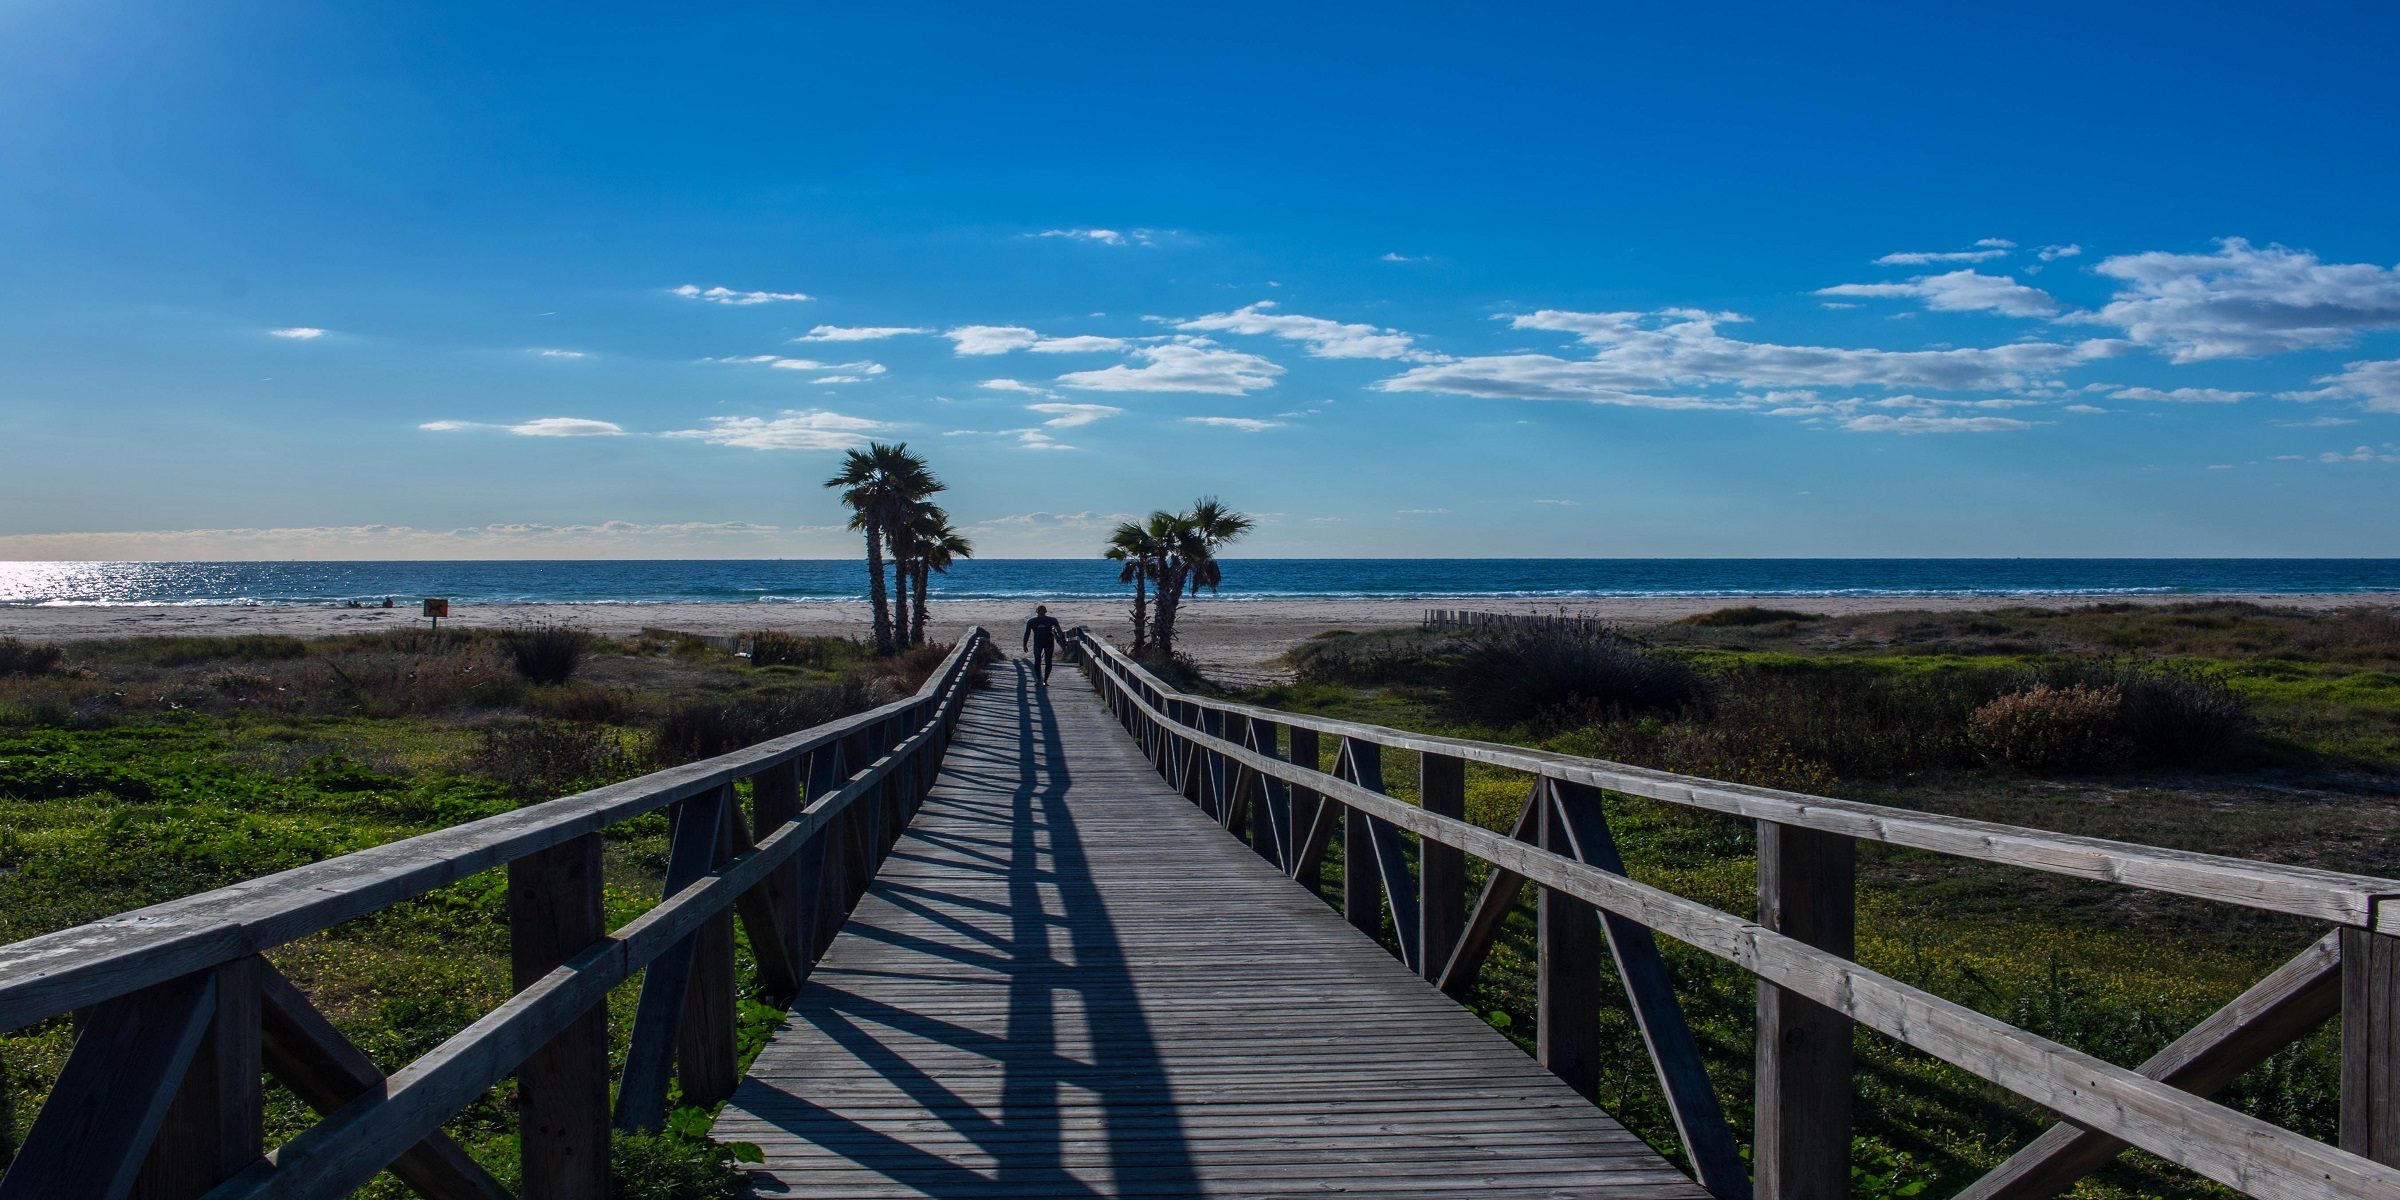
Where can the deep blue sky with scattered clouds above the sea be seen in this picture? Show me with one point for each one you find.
(1583, 280)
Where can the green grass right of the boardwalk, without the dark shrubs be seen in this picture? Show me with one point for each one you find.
(2108, 971)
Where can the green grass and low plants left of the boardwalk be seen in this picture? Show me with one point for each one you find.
(140, 772)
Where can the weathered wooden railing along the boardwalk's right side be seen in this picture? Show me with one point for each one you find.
(1256, 772)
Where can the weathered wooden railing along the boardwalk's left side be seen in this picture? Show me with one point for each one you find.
(181, 1014)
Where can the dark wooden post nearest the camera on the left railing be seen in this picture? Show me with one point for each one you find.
(217, 1122)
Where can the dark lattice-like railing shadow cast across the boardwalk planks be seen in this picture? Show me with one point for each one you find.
(1050, 892)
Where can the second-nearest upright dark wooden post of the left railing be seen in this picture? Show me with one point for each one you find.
(563, 1088)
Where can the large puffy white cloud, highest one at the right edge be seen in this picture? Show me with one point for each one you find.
(2248, 301)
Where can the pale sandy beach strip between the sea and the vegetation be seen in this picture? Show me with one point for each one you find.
(1230, 637)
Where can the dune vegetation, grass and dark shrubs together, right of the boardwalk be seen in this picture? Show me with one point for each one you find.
(2214, 726)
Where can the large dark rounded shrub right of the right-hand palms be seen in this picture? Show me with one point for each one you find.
(1564, 673)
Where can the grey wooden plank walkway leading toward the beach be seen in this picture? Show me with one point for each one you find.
(1069, 983)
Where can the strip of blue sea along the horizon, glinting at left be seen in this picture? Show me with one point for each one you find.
(776, 582)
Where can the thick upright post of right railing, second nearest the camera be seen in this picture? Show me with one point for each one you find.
(1808, 892)
